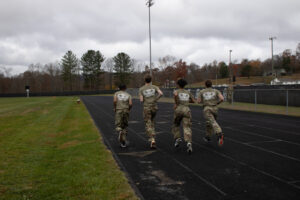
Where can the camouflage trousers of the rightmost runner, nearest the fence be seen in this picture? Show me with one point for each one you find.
(210, 116)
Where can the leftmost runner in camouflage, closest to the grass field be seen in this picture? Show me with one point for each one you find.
(122, 106)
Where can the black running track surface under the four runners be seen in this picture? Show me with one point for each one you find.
(260, 158)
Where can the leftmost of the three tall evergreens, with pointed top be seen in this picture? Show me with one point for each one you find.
(69, 65)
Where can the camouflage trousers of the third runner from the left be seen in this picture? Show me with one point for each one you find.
(182, 113)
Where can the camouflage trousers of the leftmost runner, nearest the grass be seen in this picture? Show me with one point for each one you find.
(121, 122)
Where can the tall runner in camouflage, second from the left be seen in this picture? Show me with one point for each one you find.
(149, 94)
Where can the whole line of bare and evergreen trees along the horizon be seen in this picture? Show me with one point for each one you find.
(94, 72)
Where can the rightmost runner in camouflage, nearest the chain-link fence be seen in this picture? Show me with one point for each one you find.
(211, 98)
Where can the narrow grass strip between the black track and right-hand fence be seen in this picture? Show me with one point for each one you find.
(272, 109)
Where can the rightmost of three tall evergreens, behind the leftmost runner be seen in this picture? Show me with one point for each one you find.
(122, 68)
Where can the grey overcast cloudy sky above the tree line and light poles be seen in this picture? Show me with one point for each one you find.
(42, 31)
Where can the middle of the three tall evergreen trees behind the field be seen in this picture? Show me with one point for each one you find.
(91, 62)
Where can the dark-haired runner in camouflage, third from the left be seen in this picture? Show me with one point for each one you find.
(182, 113)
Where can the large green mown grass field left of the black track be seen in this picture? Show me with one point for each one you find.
(50, 149)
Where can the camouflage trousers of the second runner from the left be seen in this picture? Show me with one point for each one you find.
(149, 115)
